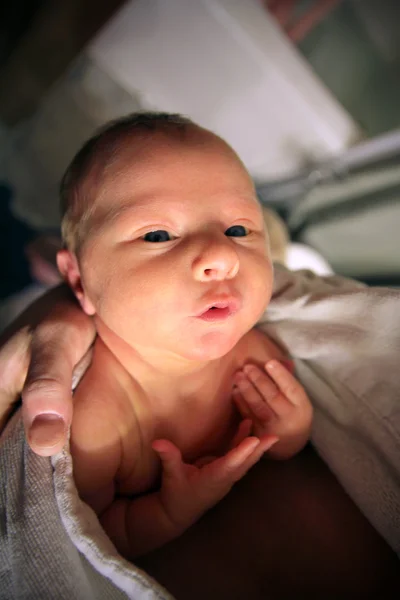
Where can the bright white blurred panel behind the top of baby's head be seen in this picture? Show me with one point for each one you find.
(226, 64)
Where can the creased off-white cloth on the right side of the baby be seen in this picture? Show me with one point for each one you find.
(345, 338)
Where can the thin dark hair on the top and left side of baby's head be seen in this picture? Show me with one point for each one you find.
(104, 146)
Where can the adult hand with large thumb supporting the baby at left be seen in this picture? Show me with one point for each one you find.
(59, 342)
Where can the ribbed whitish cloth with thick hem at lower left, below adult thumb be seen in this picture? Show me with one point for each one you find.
(51, 543)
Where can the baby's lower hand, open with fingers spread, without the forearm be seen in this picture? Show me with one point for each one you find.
(187, 491)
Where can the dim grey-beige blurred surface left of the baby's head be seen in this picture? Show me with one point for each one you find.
(40, 149)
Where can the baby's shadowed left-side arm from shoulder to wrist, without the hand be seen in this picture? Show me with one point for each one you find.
(135, 525)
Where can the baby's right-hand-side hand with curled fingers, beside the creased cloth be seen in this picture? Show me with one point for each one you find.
(277, 404)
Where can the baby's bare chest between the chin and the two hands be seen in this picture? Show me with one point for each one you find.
(200, 427)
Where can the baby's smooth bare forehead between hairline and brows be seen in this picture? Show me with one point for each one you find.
(150, 164)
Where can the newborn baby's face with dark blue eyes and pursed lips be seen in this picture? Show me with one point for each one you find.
(177, 258)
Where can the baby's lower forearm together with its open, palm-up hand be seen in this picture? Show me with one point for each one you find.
(148, 522)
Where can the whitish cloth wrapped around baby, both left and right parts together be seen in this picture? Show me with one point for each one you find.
(345, 339)
